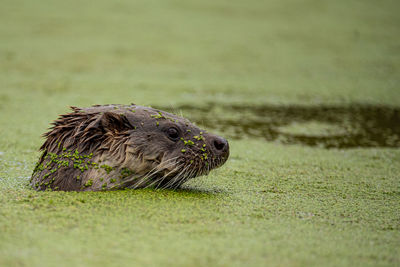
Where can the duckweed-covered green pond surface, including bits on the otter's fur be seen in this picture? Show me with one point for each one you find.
(307, 93)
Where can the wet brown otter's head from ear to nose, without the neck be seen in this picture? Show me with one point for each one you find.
(160, 149)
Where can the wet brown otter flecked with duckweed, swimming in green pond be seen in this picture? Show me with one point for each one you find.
(108, 147)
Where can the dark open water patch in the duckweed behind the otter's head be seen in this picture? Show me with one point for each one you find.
(324, 126)
